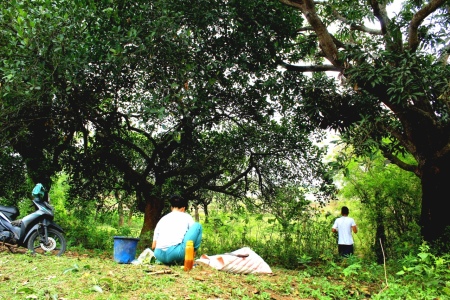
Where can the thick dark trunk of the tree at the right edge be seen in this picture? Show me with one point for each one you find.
(435, 216)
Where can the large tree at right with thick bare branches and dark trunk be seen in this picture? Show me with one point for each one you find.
(394, 86)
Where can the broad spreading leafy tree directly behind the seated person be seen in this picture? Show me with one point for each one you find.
(169, 97)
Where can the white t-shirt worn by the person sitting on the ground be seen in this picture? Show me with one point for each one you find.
(171, 229)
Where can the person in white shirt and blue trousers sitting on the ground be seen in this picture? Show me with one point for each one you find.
(173, 231)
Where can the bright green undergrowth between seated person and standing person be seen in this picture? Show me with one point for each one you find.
(302, 242)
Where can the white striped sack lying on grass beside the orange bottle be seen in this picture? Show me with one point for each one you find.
(242, 261)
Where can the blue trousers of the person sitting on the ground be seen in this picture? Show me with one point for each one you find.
(175, 254)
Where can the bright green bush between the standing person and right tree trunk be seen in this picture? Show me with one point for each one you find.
(390, 204)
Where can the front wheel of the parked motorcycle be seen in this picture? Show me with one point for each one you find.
(56, 243)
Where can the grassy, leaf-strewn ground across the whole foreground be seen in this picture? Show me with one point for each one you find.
(95, 275)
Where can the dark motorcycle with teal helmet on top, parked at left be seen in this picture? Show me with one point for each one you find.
(36, 231)
